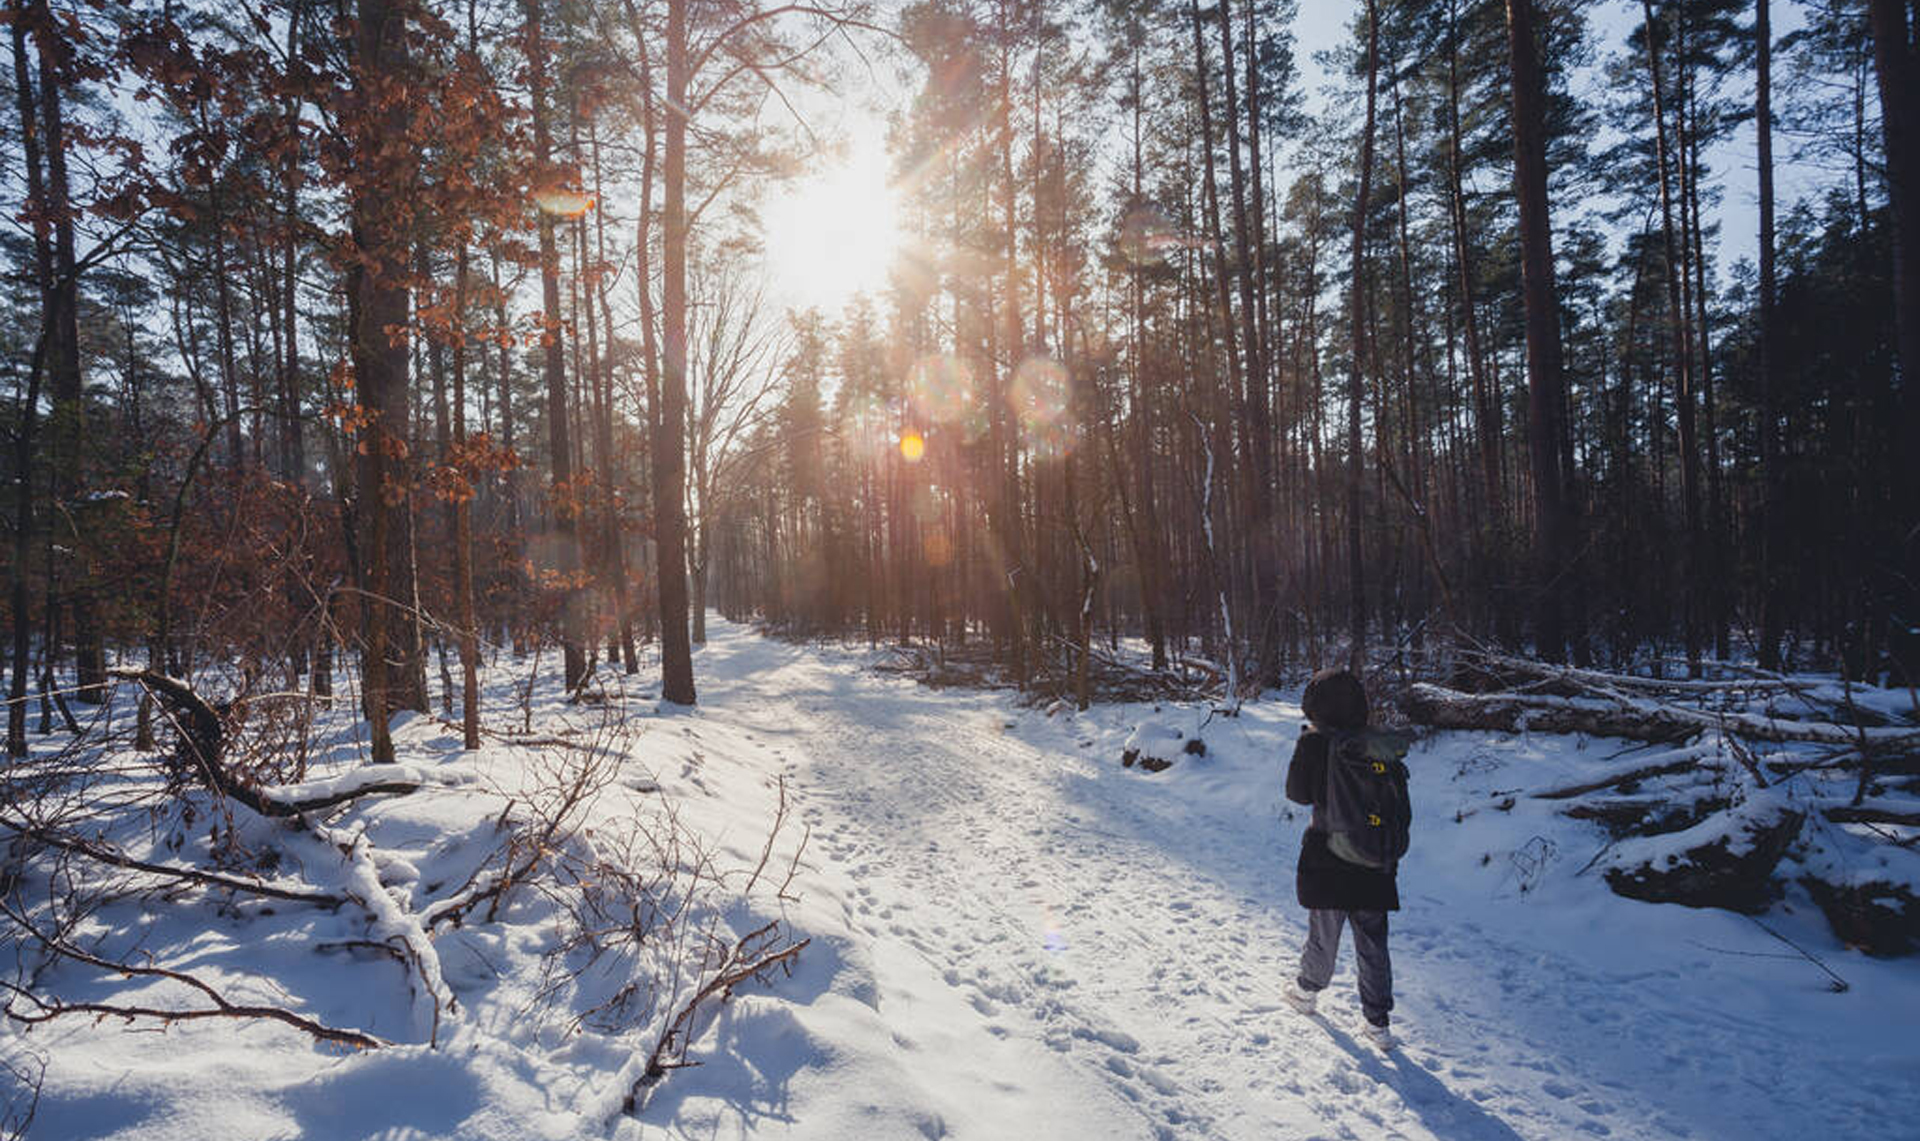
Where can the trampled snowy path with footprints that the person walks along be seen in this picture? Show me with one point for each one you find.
(1065, 950)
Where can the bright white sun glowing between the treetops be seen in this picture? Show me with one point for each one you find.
(834, 233)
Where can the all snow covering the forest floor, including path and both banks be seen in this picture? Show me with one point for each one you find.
(1013, 936)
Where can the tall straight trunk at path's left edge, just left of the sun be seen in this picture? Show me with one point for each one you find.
(669, 425)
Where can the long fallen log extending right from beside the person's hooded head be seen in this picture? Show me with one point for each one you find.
(1639, 721)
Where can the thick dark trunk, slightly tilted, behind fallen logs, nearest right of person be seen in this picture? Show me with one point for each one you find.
(1547, 387)
